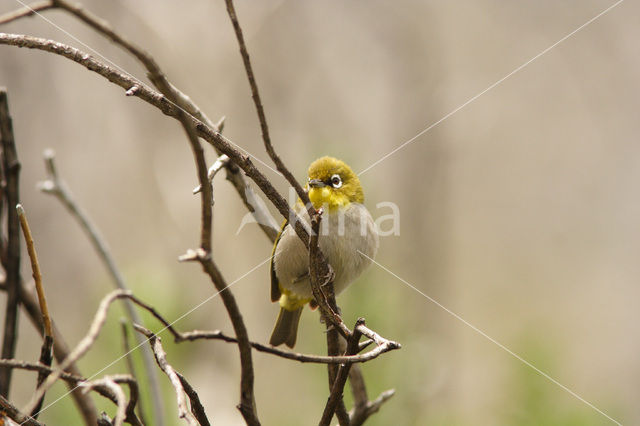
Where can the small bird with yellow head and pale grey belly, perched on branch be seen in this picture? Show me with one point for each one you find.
(346, 228)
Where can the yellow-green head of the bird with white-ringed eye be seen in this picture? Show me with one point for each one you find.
(332, 183)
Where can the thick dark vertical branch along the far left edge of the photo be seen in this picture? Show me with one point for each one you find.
(11, 171)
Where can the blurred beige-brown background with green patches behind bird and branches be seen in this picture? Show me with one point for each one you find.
(520, 212)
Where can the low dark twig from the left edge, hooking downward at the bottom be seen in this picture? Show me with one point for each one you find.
(75, 380)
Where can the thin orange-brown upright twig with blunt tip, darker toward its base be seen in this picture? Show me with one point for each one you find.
(46, 352)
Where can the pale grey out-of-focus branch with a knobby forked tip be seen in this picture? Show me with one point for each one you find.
(56, 186)
